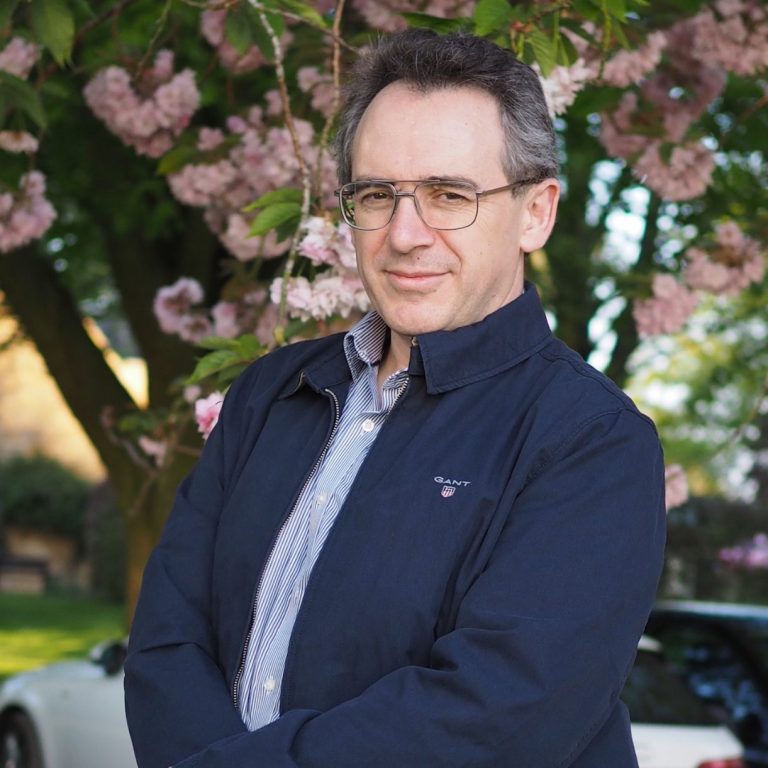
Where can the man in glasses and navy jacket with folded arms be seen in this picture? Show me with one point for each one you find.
(433, 541)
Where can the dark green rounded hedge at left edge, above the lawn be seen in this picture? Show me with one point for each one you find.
(38, 493)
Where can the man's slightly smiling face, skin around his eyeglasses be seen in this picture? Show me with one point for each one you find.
(421, 279)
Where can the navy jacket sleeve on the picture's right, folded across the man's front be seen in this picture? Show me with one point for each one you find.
(544, 638)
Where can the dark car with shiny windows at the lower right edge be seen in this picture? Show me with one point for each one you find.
(721, 652)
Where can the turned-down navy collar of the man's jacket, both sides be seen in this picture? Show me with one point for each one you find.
(451, 359)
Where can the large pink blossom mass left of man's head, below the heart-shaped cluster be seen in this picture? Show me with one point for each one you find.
(260, 158)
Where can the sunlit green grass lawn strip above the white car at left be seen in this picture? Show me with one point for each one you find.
(39, 629)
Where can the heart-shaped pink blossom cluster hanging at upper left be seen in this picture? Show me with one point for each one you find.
(148, 114)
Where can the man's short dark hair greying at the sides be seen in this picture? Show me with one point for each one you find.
(425, 61)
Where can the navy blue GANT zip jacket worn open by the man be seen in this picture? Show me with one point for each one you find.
(489, 626)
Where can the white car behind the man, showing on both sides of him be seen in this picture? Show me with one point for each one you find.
(70, 715)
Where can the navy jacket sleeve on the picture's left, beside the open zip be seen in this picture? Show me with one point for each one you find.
(177, 700)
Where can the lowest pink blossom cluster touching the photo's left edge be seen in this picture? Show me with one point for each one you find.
(27, 215)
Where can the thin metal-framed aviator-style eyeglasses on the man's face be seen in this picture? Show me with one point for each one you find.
(441, 203)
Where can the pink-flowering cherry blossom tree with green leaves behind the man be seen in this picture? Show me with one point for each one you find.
(165, 167)
